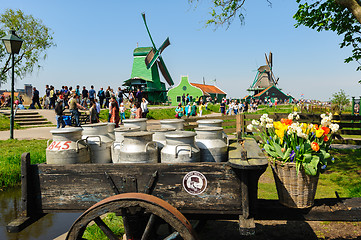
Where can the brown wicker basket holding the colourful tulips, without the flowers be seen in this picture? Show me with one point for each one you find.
(294, 190)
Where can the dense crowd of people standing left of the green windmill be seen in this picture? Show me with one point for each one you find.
(92, 100)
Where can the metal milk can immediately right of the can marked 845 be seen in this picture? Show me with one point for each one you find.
(99, 141)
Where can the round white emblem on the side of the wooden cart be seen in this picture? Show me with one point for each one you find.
(194, 183)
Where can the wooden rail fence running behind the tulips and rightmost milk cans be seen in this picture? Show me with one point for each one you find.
(237, 124)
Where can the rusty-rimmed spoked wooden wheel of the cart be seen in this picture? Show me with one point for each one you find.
(144, 217)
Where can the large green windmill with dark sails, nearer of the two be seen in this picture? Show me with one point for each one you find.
(145, 74)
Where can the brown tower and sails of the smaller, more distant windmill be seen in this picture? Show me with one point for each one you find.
(264, 77)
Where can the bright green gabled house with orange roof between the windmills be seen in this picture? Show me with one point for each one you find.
(194, 90)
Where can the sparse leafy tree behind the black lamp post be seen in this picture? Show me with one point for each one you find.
(37, 39)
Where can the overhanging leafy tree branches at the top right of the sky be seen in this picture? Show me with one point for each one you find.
(340, 16)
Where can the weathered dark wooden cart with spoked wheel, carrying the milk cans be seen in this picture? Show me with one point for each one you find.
(157, 200)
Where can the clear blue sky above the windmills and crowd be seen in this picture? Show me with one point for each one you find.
(95, 41)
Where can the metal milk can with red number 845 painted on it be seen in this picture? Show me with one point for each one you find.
(67, 147)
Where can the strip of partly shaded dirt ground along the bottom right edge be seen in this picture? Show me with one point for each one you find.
(288, 230)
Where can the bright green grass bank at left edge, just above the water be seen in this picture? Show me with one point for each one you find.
(10, 159)
